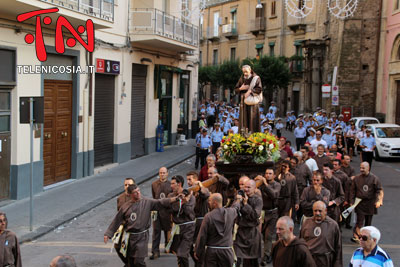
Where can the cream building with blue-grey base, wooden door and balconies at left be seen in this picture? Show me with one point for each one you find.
(139, 75)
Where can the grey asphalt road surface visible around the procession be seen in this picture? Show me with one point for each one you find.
(83, 236)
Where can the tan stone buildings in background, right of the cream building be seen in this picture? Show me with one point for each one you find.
(314, 46)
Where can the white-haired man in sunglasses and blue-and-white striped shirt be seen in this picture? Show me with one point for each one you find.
(370, 254)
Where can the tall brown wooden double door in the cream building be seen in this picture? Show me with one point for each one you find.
(57, 131)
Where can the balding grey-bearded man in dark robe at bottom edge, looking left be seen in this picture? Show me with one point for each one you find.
(290, 251)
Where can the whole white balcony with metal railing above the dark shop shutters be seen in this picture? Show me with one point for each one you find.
(155, 28)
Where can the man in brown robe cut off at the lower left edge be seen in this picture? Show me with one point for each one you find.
(10, 254)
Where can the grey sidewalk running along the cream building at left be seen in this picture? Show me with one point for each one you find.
(63, 203)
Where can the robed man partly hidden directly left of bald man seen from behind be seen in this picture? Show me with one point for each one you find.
(200, 209)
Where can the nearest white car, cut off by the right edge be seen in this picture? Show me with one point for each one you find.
(387, 138)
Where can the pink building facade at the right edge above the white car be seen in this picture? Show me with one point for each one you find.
(388, 83)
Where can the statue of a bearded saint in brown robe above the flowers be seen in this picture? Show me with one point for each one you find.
(249, 116)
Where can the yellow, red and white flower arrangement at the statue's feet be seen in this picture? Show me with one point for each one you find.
(261, 146)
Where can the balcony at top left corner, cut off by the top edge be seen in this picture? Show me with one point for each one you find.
(101, 12)
